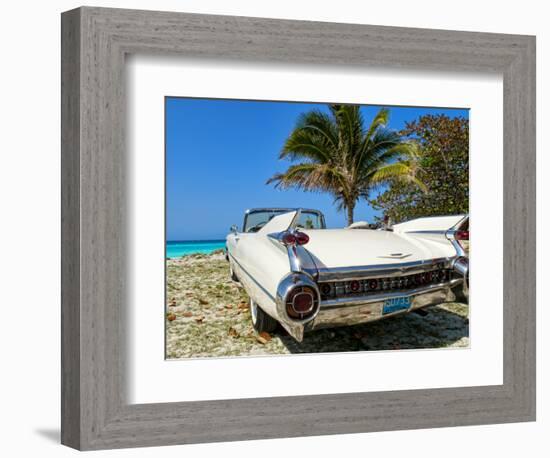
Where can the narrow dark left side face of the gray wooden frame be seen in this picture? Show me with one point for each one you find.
(70, 229)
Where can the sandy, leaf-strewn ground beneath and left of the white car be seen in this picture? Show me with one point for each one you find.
(207, 315)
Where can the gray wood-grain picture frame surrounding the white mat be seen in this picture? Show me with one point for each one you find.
(95, 41)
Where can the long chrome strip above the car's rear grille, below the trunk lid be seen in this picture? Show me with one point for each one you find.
(377, 270)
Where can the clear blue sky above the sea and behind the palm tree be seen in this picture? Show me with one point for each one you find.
(219, 154)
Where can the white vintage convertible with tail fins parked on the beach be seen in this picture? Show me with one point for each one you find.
(304, 276)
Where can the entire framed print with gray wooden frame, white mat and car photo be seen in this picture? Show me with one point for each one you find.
(286, 228)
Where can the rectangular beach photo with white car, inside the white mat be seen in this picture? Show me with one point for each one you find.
(296, 227)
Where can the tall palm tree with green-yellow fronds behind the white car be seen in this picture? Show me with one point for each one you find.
(338, 155)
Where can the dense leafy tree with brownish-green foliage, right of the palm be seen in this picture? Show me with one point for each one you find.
(442, 165)
